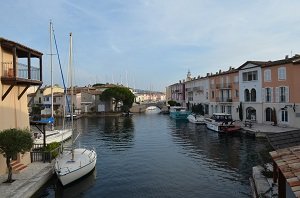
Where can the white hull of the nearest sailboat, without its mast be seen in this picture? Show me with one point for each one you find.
(69, 171)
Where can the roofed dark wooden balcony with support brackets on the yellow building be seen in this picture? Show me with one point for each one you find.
(15, 73)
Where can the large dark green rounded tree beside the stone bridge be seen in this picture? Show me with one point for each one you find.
(119, 94)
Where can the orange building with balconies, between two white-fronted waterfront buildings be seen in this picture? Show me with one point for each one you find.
(224, 92)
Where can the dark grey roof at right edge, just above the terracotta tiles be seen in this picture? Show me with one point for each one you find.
(284, 139)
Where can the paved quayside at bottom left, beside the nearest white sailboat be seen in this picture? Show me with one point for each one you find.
(28, 181)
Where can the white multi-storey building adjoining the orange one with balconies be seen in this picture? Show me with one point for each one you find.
(197, 92)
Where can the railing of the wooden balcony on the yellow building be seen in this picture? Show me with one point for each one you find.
(22, 71)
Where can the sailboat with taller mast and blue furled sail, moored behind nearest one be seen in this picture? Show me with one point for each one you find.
(52, 135)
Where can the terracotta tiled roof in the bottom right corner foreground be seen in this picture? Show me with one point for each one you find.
(288, 162)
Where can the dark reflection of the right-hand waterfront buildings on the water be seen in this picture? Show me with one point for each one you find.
(221, 152)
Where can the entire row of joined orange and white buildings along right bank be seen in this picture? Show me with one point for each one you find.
(260, 86)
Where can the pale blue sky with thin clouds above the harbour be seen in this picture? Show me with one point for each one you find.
(151, 44)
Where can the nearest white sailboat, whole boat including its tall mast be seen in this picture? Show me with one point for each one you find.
(73, 164)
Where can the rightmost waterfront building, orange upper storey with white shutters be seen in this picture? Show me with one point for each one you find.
(280, 91)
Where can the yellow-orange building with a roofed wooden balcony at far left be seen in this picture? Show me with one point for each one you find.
(21, 67)
